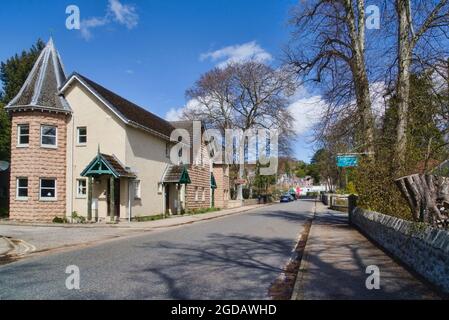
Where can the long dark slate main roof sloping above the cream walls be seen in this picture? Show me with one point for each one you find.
(129, 111)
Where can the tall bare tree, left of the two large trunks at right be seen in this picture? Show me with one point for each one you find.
(329, 47)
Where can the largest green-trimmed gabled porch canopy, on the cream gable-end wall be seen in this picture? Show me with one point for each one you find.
(104, 164)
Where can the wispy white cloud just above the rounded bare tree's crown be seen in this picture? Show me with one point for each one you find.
(238, 53)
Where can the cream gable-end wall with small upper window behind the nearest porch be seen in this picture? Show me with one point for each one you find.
(104, 129)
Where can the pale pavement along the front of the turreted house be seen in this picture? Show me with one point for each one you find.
(46, 237)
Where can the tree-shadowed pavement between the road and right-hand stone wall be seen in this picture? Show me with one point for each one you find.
(335, 260)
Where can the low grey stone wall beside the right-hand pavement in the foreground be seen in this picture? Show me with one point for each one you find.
(422, 248)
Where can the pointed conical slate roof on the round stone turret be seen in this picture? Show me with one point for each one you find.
(41, 89)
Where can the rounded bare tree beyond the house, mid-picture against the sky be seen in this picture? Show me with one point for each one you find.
(249, 95)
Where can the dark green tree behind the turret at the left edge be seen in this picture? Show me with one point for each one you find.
(13, 74)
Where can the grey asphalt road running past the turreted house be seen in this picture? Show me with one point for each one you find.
(235, 257)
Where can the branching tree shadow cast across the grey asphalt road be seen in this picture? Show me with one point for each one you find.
(224, 267)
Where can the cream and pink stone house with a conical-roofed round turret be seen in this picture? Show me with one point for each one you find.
(79, 147)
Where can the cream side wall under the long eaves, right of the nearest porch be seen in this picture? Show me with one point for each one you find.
(145, 154)
